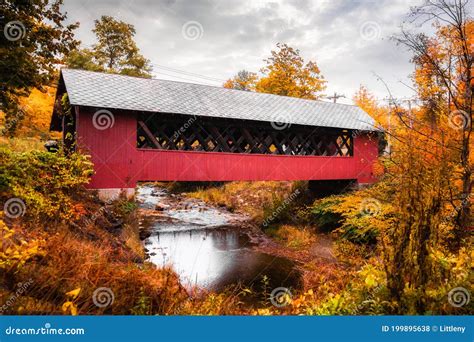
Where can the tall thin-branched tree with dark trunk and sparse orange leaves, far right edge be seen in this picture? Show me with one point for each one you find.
(444, 77)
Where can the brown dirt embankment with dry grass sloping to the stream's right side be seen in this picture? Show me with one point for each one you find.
(316, 254)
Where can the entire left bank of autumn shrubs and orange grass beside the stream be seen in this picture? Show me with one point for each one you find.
(68, 244)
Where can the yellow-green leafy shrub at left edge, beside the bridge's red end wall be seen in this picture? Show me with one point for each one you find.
(45, 182)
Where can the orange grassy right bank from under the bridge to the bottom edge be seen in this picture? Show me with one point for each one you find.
(297, 239)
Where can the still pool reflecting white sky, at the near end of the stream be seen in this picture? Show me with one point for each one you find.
(215, 258)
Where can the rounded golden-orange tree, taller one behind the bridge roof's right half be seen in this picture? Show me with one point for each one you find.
(287, 74)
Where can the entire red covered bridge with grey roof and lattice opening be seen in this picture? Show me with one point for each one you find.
(138, 129)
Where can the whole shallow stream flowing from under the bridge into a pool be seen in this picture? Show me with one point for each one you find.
(207, 246)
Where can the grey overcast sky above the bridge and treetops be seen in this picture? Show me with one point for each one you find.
(348, 39)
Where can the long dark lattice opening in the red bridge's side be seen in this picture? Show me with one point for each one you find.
(209, 137)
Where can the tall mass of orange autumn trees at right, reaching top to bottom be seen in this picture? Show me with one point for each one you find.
(430, 167)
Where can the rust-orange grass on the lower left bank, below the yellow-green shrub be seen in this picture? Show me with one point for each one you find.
(88, 255)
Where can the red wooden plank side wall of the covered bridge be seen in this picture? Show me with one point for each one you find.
(119, 164)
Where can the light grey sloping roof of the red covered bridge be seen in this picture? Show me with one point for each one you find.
(93, 89)
